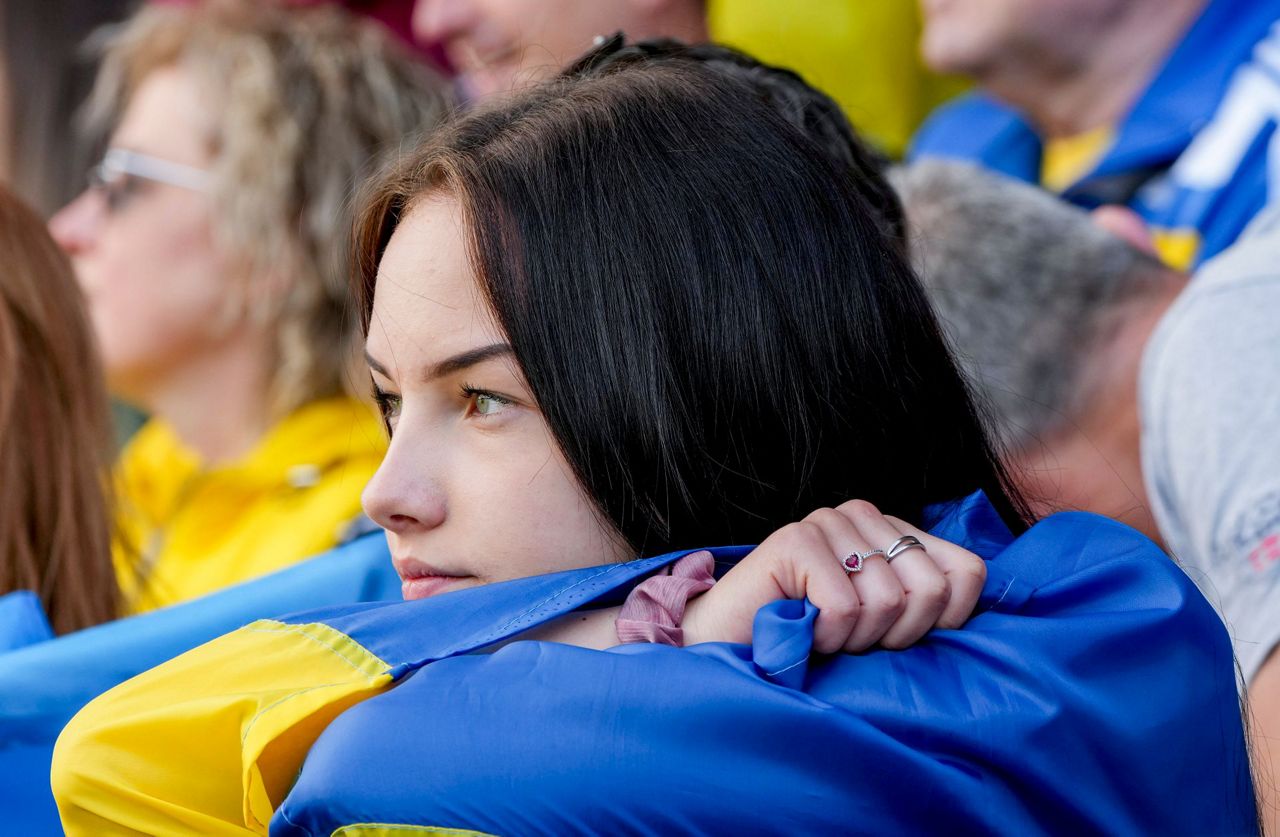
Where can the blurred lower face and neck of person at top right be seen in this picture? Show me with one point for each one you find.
(1071, 66)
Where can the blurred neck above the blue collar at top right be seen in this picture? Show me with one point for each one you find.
(1069, 95)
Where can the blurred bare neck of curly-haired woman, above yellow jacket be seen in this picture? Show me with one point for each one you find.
(218, 405)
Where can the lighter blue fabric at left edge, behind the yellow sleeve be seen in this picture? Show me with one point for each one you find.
(43, 685)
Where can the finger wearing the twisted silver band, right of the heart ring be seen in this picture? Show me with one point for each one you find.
(925, 587)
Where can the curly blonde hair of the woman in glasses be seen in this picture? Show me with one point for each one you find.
(307, 103)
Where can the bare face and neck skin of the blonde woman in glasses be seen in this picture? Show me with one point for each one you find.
(173, 336)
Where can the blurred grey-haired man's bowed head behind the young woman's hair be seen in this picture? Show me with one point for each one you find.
(1049, 314)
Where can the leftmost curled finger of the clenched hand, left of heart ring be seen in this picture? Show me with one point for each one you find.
(825, 582)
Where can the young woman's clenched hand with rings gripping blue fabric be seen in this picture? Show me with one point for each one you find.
(888, 603)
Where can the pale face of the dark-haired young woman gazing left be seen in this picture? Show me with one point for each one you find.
(474, 490)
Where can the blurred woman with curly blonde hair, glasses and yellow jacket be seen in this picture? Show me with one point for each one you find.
(213, 246)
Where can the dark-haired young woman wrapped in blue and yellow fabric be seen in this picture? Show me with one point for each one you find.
(638, 313)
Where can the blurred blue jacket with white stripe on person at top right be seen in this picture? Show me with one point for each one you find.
(1191, 157)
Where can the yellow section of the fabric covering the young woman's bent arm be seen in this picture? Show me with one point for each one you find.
(278, 687)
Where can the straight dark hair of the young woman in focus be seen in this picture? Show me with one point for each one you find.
(717, 332)
